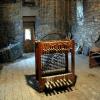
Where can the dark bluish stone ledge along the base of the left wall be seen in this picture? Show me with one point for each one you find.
(10, 53)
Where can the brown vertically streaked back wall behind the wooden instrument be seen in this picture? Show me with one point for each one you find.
(54, 17)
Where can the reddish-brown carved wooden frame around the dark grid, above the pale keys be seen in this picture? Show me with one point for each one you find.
(59, 46)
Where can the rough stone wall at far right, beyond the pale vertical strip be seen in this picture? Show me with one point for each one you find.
(92, 22)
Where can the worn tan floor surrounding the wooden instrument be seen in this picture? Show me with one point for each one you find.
(13, 83)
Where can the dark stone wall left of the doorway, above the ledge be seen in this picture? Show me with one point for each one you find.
(10, 23)
